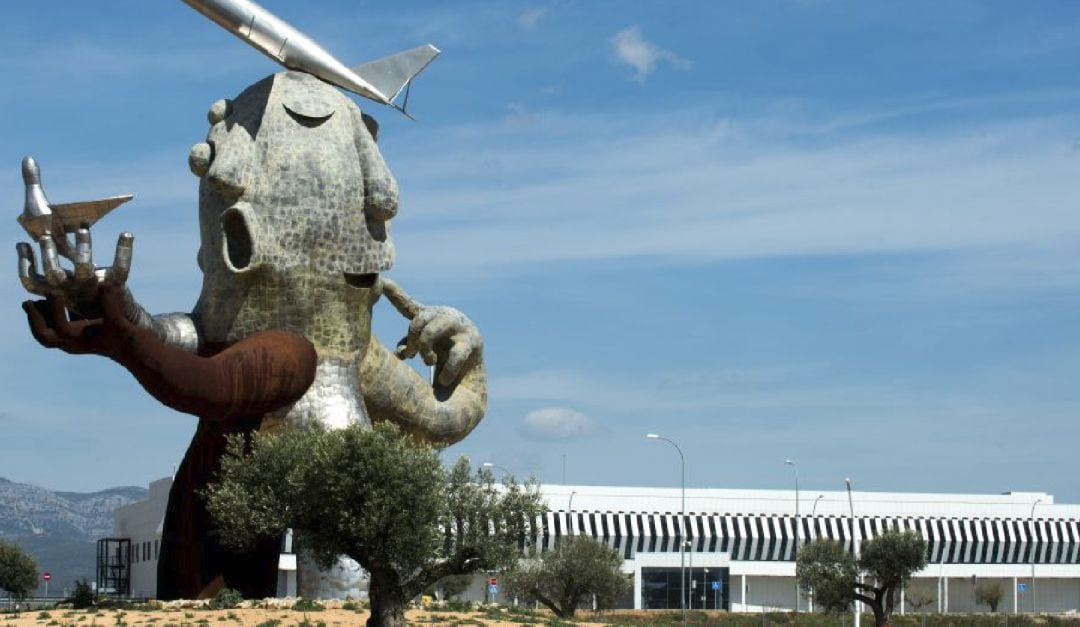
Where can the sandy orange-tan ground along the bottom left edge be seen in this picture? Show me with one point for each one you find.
(239, 618)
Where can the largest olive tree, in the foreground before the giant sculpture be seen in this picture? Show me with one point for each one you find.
(379, 497)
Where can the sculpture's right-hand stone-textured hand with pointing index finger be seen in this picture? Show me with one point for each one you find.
(442, 336)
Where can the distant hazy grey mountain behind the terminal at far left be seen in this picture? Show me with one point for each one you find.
(61, 529)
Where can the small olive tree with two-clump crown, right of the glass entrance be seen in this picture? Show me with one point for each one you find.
(885, 566)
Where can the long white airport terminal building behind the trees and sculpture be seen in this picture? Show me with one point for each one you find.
(740, 544)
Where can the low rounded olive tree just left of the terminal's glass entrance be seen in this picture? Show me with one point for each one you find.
(565, 579)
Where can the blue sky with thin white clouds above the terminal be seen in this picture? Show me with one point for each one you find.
(841, 233)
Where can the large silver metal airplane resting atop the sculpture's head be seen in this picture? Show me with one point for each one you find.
(381, 80)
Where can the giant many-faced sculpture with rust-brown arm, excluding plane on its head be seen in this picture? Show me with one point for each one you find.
(295, 203)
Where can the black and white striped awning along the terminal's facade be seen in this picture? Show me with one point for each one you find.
(772, 538)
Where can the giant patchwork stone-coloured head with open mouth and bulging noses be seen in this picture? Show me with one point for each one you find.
(295, 202)
